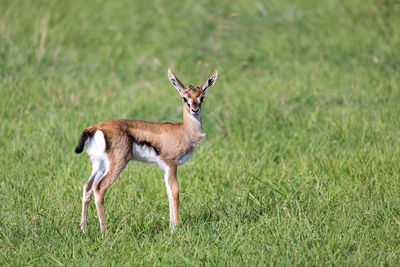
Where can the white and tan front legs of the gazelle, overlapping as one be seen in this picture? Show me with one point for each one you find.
(171, 183)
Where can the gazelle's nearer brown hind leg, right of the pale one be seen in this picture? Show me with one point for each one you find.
(117, 164)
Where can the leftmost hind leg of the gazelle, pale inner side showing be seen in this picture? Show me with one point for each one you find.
(98, 170)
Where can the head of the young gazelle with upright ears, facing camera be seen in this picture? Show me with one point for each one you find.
(192, 96)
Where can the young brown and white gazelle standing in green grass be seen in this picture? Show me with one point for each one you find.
(112, 144)
